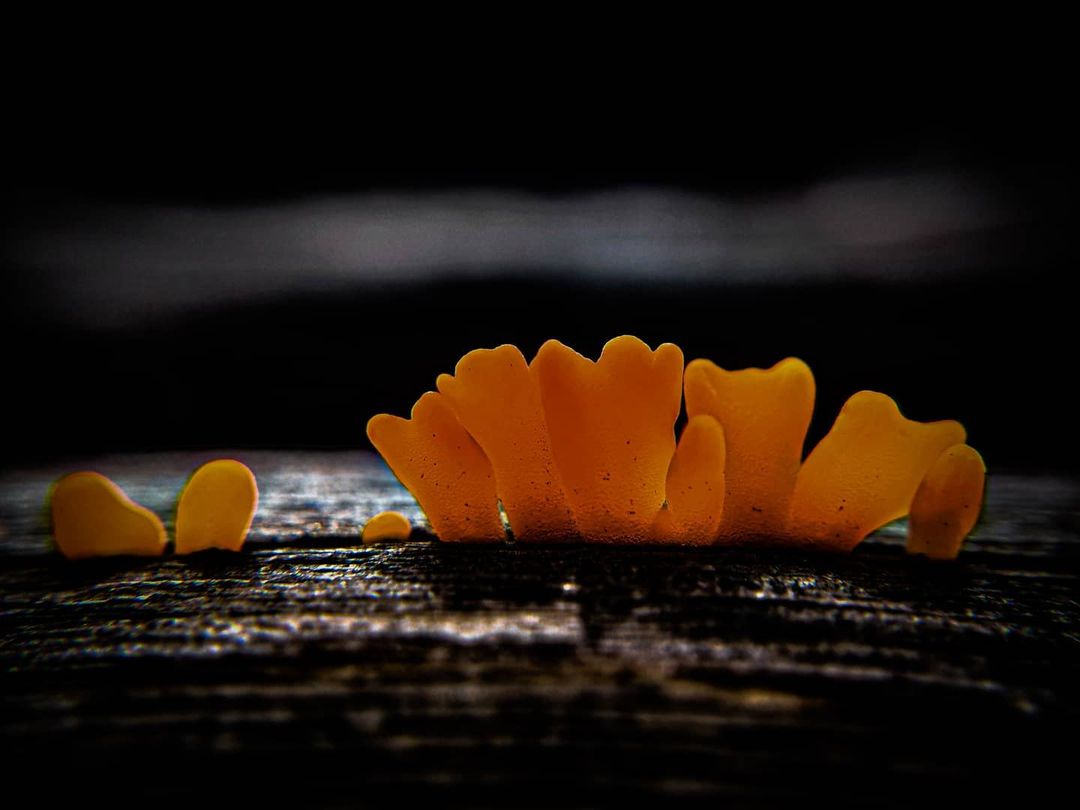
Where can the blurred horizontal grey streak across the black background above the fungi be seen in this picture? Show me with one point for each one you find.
(110, 265)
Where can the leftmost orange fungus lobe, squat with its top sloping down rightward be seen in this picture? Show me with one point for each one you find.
(92, 517)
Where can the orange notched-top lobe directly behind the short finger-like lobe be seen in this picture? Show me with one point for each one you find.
(765, 414)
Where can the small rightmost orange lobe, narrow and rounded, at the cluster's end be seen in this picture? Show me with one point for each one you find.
(948, 504)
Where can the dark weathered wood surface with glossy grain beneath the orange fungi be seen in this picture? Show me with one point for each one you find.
(314, 669)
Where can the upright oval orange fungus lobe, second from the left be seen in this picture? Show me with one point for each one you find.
(217, 508)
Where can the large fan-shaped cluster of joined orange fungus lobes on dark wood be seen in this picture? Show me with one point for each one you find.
(580, 451)
